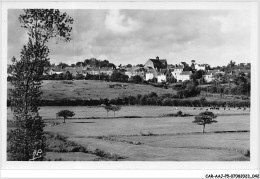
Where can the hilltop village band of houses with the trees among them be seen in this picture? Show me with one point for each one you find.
(156, 70)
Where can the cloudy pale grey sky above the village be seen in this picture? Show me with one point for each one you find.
(133, 36)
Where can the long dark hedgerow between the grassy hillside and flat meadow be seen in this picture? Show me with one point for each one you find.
(167, 100)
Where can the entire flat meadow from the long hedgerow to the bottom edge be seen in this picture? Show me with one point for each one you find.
(148, 137)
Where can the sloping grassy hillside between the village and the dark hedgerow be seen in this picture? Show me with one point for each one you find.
(91, 89)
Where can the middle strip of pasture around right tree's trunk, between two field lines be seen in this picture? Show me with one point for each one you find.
(135, 126)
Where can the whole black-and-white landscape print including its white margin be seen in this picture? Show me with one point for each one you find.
(123, 84)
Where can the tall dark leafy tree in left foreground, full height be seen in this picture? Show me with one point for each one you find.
(41, 25)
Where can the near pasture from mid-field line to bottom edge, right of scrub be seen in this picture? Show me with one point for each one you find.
(162, 139)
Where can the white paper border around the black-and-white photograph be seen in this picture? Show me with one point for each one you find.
(126, 167)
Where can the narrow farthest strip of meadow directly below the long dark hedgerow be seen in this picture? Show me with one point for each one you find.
(49, 112)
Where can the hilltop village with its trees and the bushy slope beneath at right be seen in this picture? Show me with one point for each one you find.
(234, 78)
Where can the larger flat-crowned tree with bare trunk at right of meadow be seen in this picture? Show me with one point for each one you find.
(204, 118)
